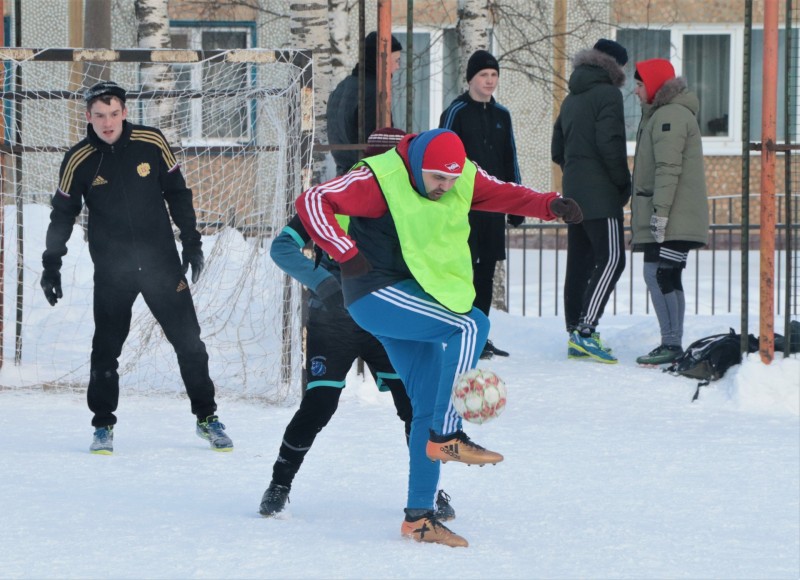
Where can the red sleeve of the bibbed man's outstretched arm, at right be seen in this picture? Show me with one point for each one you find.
(494, 195)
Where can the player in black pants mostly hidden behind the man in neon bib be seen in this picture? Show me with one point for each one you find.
(333, 342)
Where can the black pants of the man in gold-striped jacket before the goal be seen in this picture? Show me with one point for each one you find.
(170, 301)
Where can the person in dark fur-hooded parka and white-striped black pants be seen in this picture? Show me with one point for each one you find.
(589, 145)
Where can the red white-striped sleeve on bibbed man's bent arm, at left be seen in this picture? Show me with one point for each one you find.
(356, 194)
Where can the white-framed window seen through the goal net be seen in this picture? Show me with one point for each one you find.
(212, 118)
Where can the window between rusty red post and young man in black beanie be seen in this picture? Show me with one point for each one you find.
(435, 83)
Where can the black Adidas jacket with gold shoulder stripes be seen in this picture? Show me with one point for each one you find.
(131, 189)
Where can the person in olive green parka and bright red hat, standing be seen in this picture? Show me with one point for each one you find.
(670, 203)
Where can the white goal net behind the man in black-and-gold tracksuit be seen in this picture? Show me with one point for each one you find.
(241, 125)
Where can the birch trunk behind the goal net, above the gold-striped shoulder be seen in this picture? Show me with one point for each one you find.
(152, 31)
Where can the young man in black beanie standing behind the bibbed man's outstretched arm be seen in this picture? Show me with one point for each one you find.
(484, 127)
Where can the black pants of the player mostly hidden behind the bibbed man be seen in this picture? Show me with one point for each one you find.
(333, 342)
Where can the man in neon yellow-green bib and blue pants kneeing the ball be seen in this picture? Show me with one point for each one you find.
(407, 279)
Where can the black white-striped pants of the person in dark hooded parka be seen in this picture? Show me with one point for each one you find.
(595, 261)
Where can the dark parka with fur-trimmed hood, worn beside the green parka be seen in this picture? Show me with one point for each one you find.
(589, 141)
